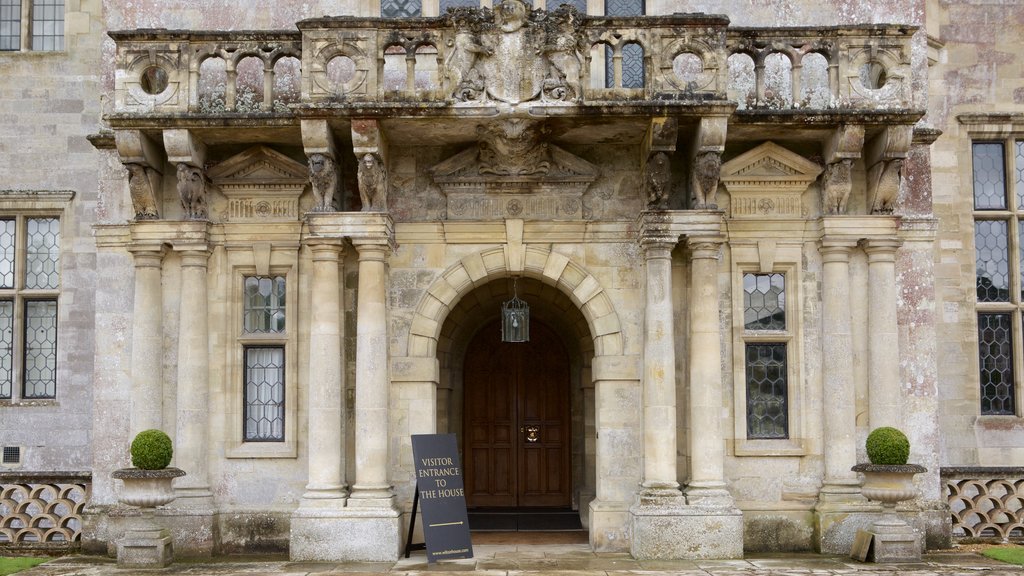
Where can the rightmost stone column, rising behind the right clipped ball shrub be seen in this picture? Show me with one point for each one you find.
(883, 337)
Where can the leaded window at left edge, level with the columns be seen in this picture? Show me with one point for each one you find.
(30, 281)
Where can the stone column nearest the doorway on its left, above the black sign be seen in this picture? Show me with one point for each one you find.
(372, 384)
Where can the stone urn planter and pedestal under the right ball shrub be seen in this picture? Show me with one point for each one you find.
(890, 540)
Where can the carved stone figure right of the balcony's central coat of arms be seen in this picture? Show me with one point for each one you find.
(564, 56)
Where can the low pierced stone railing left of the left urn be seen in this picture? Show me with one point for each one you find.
(42, 511)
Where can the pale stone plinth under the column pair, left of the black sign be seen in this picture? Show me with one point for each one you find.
(358, 534)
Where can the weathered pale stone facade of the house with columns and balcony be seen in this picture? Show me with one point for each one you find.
(402, 179)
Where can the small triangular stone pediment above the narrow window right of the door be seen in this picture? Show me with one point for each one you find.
(771, 164)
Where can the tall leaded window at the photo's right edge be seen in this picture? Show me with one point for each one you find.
(998, 188)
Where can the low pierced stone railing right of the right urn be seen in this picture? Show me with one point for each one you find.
(987, 503)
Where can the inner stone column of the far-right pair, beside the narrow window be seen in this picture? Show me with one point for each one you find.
(837, 366)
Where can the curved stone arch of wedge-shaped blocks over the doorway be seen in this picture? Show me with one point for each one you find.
(538, 263)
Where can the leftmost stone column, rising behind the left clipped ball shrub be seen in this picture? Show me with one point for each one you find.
(147, 341)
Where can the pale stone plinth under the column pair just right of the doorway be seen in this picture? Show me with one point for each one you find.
(672, 530)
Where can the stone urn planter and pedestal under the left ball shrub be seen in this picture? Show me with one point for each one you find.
(148, 545)
